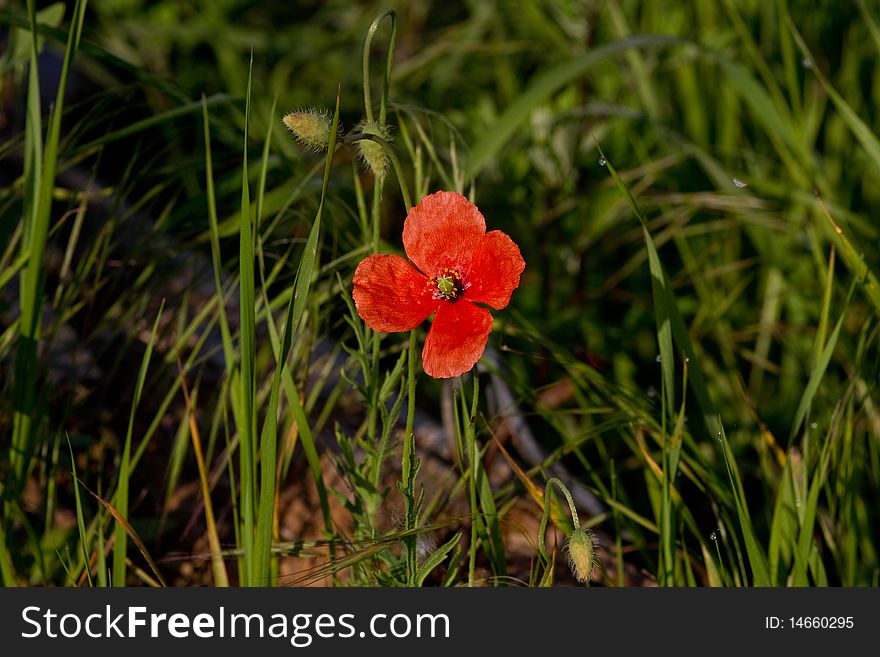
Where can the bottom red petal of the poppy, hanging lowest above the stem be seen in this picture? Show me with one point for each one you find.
(456, 340)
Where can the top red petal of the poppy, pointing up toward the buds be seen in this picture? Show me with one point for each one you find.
(442, 231)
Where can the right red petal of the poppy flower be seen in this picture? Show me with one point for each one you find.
(495, 270)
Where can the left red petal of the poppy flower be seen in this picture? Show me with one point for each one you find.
(390, 295)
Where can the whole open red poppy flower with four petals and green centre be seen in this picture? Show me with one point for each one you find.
(457, 264)
